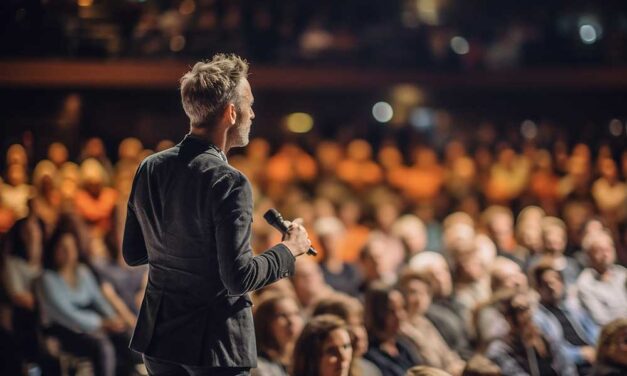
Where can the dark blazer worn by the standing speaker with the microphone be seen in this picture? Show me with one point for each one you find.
(189, 217)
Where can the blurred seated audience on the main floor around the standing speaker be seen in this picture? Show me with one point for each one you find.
(464, 262)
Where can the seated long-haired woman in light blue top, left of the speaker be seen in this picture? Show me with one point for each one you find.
(76, 312)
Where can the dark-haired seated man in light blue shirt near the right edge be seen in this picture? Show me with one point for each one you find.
(562, 319)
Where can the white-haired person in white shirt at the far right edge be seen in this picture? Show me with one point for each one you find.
(602, 286)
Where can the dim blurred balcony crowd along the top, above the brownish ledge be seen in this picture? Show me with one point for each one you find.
(437, 34)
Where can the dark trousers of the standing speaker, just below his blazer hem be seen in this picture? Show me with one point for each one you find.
(160, 367)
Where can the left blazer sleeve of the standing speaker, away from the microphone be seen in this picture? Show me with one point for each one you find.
(133, 245)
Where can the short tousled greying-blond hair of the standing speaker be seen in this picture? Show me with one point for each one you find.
(210, 85)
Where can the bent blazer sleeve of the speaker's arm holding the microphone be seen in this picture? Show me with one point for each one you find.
(240, 271)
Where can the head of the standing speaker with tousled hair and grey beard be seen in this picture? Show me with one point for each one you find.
(217, 91)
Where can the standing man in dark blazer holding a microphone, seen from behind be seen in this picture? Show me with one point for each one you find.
(189, 217)
